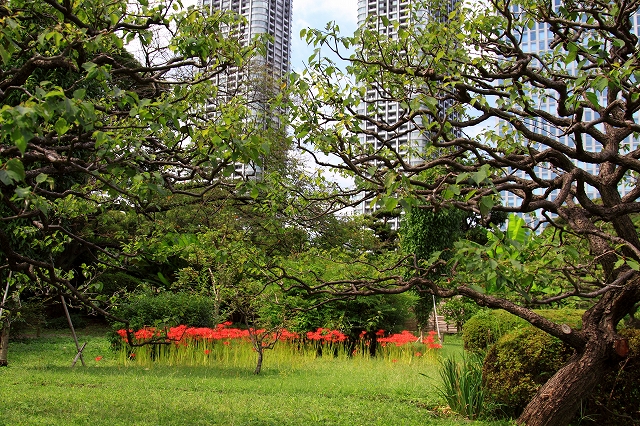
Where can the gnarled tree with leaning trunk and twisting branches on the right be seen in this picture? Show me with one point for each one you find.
(551, 131)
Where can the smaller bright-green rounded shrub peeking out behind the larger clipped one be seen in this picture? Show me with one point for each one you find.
(486, 327)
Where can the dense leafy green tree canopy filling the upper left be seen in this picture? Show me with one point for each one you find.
(104, 108)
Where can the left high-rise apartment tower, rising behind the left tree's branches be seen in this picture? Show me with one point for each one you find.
(262, 75)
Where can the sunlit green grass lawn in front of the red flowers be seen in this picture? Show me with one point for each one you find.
(40, 387)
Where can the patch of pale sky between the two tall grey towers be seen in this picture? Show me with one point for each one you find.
(316, 14)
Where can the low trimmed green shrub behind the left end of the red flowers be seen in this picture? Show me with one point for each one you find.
(167, 309)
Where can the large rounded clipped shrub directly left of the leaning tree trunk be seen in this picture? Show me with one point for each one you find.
(518, 363)
